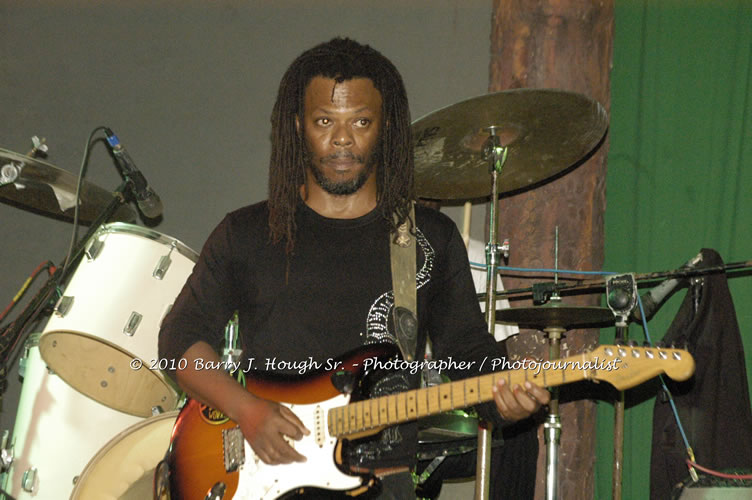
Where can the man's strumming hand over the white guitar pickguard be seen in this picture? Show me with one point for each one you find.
(267, 426)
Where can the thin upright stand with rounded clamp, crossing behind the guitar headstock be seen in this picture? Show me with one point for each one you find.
(621, 297)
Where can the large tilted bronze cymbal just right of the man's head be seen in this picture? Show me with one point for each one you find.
(545, 131)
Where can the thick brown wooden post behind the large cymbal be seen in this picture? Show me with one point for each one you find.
(562, 44)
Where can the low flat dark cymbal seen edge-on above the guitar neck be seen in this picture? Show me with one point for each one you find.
(556, 315)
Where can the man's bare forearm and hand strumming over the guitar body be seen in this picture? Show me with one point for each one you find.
(264, 424)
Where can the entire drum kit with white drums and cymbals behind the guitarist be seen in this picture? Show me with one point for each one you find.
(89, 424)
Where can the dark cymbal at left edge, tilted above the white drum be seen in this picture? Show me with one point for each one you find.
(48, 190)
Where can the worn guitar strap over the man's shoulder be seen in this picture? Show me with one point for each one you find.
(403, 263)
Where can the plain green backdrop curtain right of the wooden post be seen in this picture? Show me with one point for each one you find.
(679, 171)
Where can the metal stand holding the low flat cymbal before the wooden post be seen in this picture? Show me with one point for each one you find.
(552, 425)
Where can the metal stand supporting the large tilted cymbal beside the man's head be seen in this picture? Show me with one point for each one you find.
(496, 155)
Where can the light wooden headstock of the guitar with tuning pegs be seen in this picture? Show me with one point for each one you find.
(624, 366)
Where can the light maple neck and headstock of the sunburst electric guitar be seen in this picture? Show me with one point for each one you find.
(622, 366)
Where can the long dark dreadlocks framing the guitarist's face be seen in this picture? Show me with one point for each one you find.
(339, 59)
